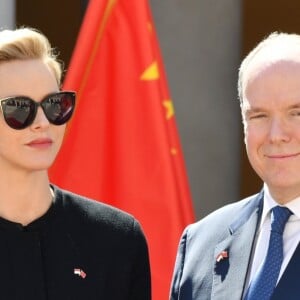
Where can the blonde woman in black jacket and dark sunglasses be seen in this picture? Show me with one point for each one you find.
(54, 244)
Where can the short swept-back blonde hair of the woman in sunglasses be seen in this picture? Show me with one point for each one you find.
(29, 43)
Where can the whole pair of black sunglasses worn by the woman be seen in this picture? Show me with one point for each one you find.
(19, 112)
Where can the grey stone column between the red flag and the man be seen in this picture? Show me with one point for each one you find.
(200, 43)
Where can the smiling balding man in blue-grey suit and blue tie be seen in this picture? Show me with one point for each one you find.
(230, 254)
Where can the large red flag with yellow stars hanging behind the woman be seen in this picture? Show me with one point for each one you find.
(122, 147)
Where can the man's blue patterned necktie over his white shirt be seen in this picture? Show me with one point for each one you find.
(264, 283)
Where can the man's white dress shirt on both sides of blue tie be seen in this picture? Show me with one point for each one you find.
(291, 234)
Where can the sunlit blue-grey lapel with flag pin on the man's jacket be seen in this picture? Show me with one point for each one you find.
(230, 272)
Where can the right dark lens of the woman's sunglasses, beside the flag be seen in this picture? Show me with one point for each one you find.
(59, 107)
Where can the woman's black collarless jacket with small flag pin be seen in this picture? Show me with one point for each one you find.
(80, 249)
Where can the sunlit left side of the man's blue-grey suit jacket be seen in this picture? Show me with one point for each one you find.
(198, 275)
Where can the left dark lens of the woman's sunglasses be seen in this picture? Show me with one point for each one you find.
(18, 112)
